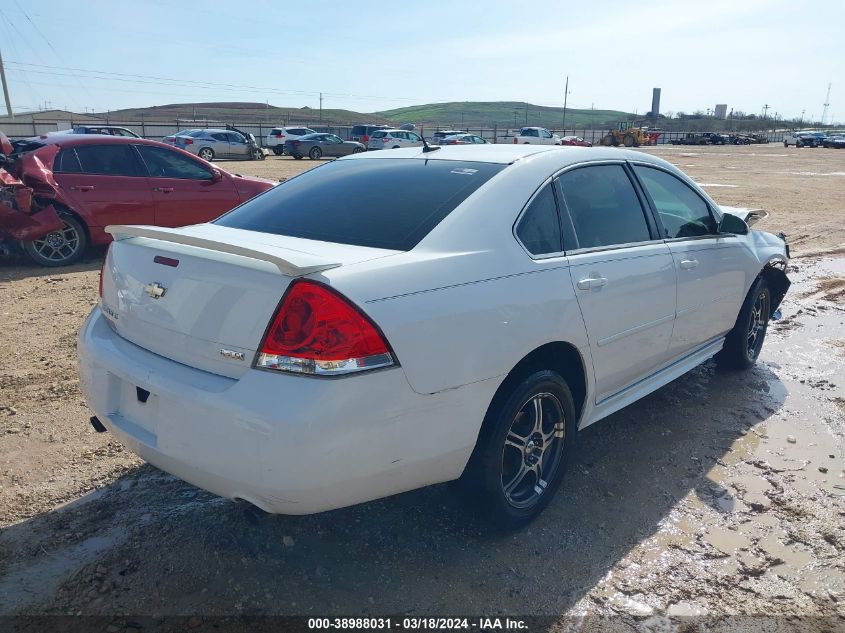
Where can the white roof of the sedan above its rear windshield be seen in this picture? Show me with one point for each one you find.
(506, 153)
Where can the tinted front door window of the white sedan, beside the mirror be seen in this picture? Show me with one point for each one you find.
(682, 212)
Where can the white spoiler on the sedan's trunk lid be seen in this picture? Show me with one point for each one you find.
(291, 263)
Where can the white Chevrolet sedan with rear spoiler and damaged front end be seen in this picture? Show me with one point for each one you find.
(397, 319)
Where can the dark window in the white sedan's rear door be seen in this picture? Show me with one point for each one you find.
(603, 206)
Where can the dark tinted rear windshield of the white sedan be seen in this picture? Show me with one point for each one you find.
(384, 203)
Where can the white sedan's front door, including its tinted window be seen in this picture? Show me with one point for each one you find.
(710, 267)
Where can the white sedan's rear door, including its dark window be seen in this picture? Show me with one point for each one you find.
(622, 275)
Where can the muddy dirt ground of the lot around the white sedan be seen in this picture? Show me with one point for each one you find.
(720, 494)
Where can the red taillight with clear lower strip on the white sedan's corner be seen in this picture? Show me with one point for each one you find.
(318, 331)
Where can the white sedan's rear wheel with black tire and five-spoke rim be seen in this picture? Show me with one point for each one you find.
(510, 446)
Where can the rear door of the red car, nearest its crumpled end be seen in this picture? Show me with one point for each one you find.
(107, 184)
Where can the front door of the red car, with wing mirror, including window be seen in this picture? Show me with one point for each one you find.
(184, 189)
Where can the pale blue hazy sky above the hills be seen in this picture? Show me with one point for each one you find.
(370, 56)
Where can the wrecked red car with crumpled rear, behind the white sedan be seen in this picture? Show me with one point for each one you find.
(58, 194)
